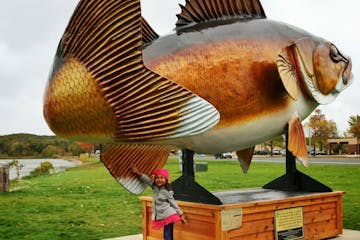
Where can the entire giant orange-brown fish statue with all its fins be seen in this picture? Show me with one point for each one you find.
(227, 79)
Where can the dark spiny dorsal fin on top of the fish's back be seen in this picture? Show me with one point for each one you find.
(197, 11)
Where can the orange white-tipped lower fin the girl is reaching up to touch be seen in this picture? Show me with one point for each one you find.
(118, 158)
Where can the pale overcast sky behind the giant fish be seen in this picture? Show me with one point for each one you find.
(31, 29)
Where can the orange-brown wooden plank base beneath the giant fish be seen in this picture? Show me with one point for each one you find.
(250, 214)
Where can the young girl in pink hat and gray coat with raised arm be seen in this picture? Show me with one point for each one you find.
(165, 210)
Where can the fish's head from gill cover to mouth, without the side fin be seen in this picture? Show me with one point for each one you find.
(324, 70)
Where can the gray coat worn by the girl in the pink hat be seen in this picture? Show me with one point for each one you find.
(164, 203)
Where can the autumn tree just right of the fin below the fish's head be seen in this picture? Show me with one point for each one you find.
(322, 129)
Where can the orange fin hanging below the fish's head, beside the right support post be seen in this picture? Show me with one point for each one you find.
(296, 142)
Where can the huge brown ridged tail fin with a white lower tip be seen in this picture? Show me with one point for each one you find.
(106, 38)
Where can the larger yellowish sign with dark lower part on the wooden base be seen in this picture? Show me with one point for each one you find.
(289, 223)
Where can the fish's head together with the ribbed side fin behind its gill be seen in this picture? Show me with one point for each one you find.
(315, 67)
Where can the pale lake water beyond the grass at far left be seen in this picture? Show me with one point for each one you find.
(30, 164)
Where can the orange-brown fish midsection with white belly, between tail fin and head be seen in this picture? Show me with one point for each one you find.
(236, 72)
